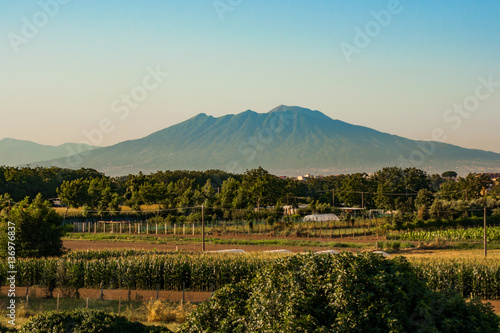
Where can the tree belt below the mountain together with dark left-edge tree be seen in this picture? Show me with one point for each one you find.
(413, 194)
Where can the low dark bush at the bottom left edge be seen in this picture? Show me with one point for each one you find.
(88, 321)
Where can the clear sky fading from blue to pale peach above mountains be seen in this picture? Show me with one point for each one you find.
(107, 71)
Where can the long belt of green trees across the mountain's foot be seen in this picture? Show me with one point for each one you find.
(390, 189)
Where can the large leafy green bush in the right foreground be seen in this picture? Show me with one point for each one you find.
(342, 293)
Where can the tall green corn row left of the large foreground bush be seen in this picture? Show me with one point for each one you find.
(146, 272)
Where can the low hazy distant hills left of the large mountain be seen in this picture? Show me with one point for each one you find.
(21, 152)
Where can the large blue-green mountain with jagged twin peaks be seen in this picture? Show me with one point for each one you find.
(286, 140)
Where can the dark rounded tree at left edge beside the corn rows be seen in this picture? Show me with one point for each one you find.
(38, 229)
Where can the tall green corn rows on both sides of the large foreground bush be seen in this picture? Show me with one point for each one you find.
(204, 272)
